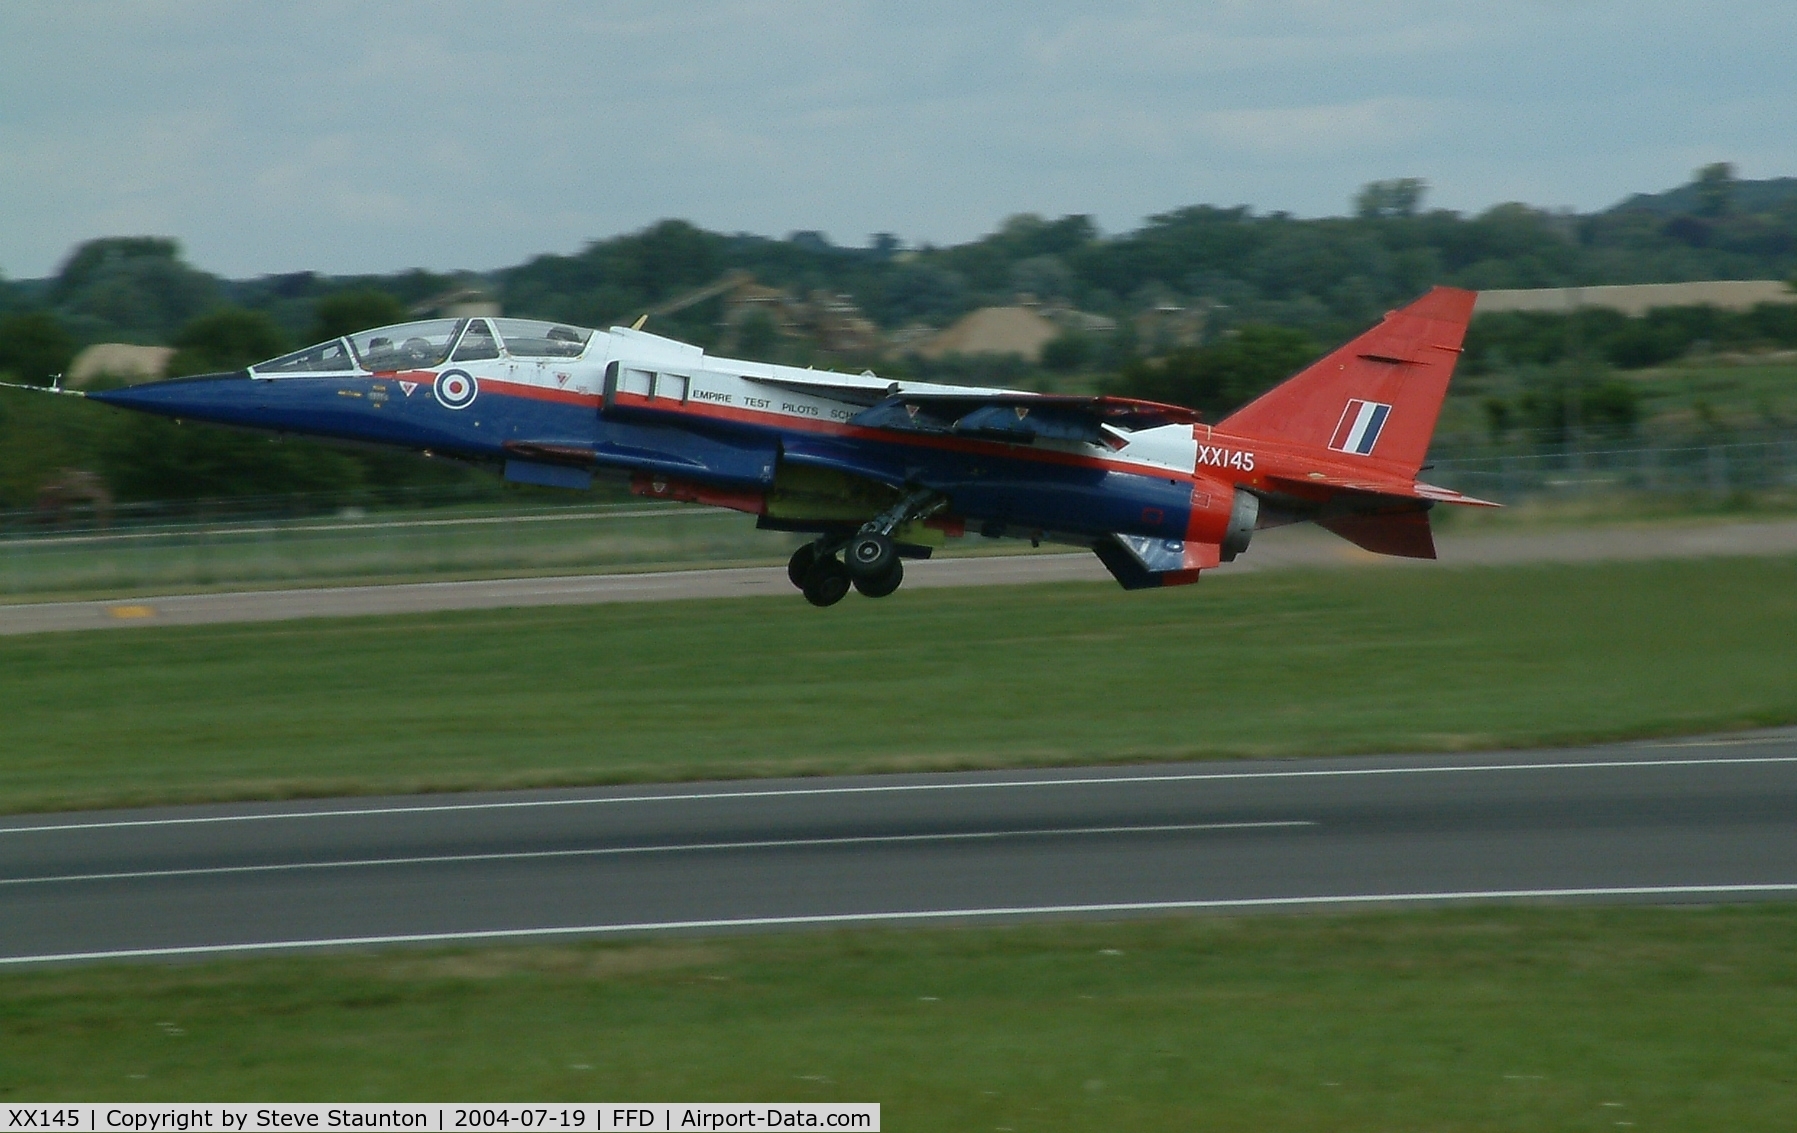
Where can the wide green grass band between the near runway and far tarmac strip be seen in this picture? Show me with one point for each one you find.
(1277, 665)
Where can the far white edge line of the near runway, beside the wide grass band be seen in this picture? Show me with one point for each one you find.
(912, 787)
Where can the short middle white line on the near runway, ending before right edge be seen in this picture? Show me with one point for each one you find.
(691, 848)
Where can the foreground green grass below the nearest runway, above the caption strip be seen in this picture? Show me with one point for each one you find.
(1476, 1019)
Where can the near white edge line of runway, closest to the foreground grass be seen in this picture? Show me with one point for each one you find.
(926, 914)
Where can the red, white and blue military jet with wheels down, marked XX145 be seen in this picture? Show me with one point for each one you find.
(881, 470)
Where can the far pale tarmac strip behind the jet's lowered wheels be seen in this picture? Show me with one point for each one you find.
(1302, 546)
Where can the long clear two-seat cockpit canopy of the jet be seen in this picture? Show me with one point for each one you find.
(427, 344)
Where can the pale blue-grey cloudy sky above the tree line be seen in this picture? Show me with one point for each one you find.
(344, 138)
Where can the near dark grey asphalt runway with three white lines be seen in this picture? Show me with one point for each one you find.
(1677, 821)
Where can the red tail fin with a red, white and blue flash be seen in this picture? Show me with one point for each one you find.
(1379, 397)
